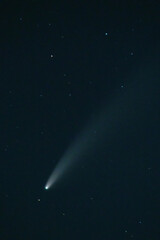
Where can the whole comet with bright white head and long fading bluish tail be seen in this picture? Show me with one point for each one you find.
(111, 119)
